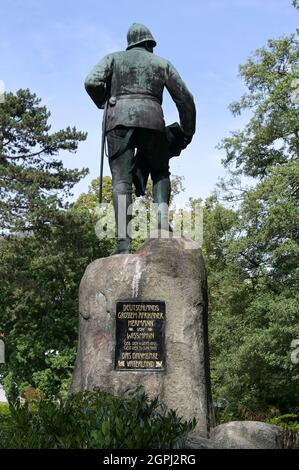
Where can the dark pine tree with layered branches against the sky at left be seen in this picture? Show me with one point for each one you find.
(33, 182)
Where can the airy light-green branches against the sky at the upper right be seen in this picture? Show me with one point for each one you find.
(272, 136)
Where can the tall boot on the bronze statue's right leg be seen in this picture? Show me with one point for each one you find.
(161, 193)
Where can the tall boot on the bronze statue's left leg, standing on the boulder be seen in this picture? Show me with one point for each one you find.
(123, 215)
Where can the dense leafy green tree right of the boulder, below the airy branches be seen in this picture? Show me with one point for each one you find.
(254, 300)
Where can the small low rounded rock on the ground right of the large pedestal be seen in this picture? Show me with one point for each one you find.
(248, 435)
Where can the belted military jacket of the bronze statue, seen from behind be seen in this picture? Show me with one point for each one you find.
(136, 78)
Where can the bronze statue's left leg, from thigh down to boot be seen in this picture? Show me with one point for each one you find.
(121, 170)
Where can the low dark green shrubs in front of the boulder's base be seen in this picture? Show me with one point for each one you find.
(94, 420)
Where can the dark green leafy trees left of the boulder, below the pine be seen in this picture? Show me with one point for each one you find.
(39, 281)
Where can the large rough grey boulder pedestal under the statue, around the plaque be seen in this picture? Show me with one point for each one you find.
(166, 270)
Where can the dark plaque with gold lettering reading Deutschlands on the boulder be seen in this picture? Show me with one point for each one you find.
(140, 335)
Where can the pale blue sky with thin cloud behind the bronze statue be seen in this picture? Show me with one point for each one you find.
(50, 46)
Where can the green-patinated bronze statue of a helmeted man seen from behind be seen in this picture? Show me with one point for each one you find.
(132, 84)
